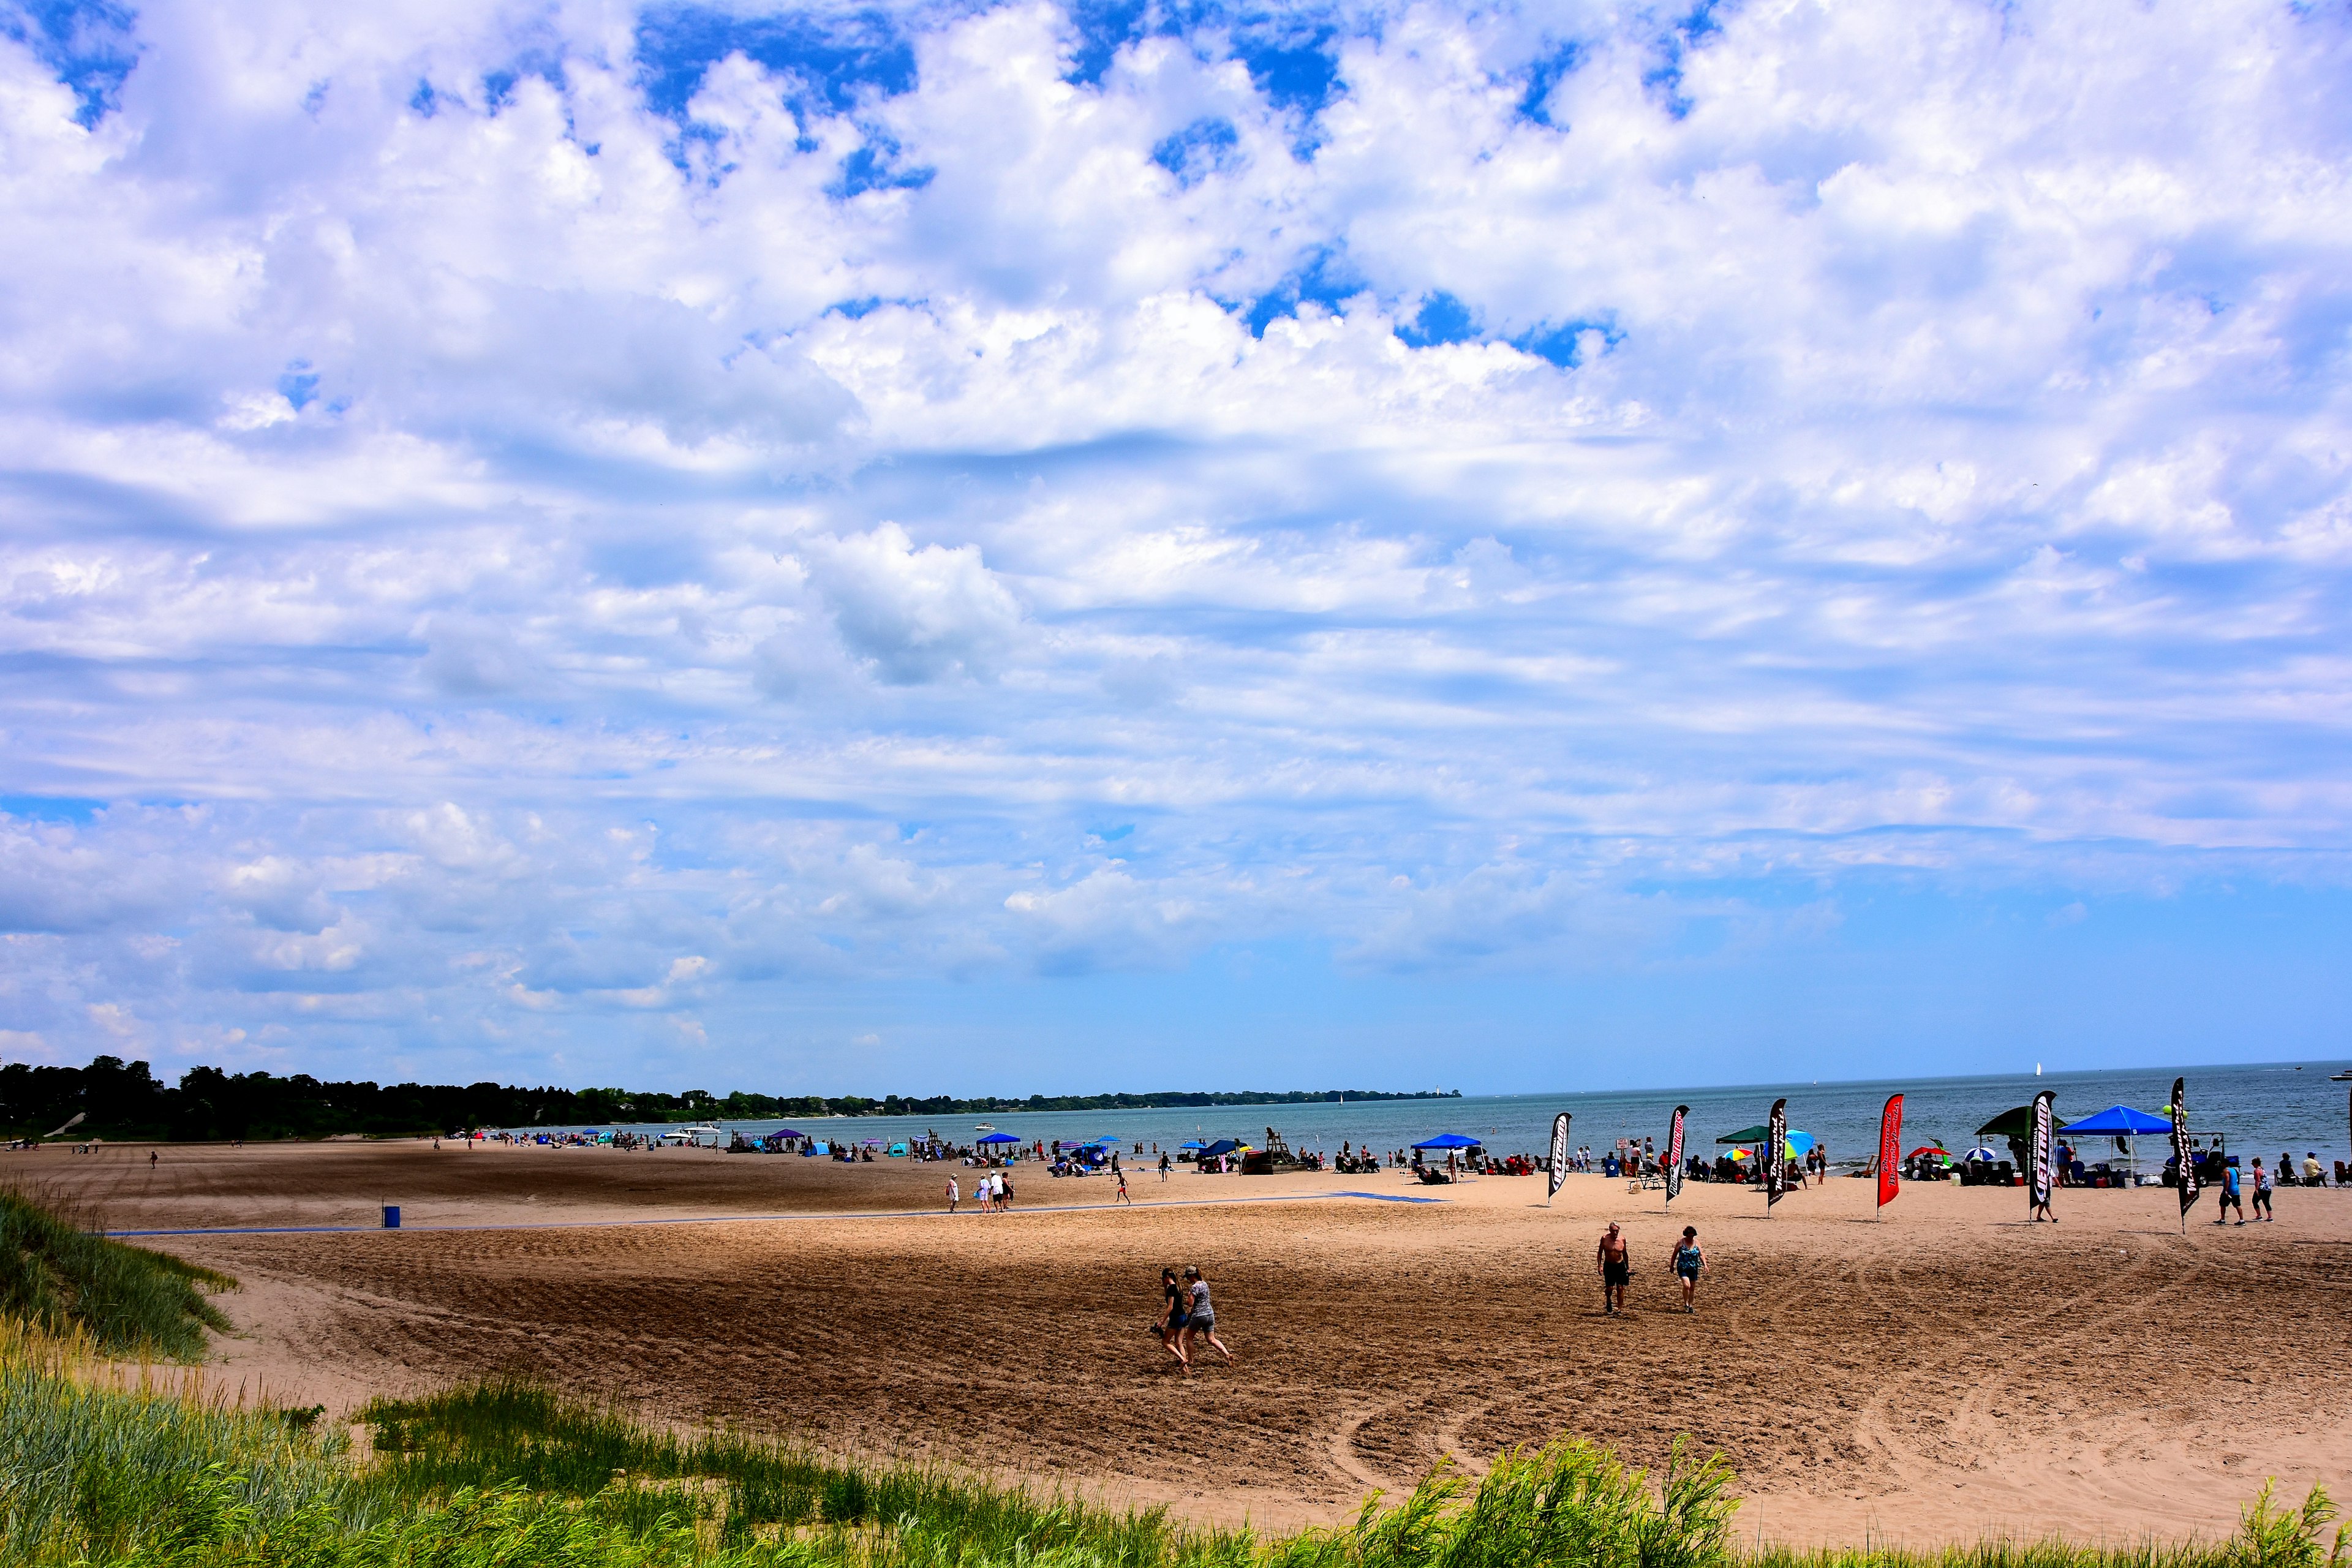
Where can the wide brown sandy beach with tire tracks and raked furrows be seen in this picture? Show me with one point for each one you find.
(1925, 1376)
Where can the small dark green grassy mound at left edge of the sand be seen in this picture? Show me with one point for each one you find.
(60, 1278)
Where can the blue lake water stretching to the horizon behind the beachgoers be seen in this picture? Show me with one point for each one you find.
(2261, 1111)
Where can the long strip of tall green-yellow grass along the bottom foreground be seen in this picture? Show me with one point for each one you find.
(512, 1475)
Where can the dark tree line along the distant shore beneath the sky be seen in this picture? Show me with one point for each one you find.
(128, 1101)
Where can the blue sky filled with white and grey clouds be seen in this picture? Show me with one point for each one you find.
(1055, 549)
